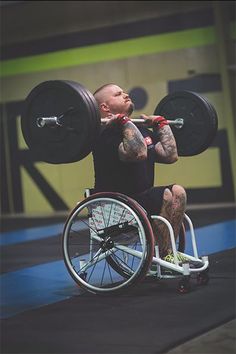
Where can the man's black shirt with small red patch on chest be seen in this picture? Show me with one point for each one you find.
(114, 175)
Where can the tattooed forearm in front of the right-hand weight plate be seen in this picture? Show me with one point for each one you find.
(166, 148)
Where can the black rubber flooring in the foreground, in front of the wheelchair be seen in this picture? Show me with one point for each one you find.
(149, 318)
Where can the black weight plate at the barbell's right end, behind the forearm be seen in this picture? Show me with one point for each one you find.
(200, 121)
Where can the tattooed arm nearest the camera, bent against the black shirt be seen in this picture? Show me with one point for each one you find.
(133, 147)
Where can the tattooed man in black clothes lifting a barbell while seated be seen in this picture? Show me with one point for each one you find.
(124, 158)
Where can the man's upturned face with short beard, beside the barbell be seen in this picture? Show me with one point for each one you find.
(117, 100)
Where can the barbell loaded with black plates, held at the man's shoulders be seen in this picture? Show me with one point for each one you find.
(61, 120)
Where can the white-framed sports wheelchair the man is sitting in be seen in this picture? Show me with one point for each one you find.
(108, 245)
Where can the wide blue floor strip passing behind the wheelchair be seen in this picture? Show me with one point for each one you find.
(47, 283)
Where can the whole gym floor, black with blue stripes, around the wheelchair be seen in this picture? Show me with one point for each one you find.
(44, 311)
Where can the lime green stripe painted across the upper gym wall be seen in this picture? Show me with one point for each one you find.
(110, 51)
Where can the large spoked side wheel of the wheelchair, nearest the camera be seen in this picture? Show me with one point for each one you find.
(108, 243)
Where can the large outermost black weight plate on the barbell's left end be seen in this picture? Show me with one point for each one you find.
(64, 144)
